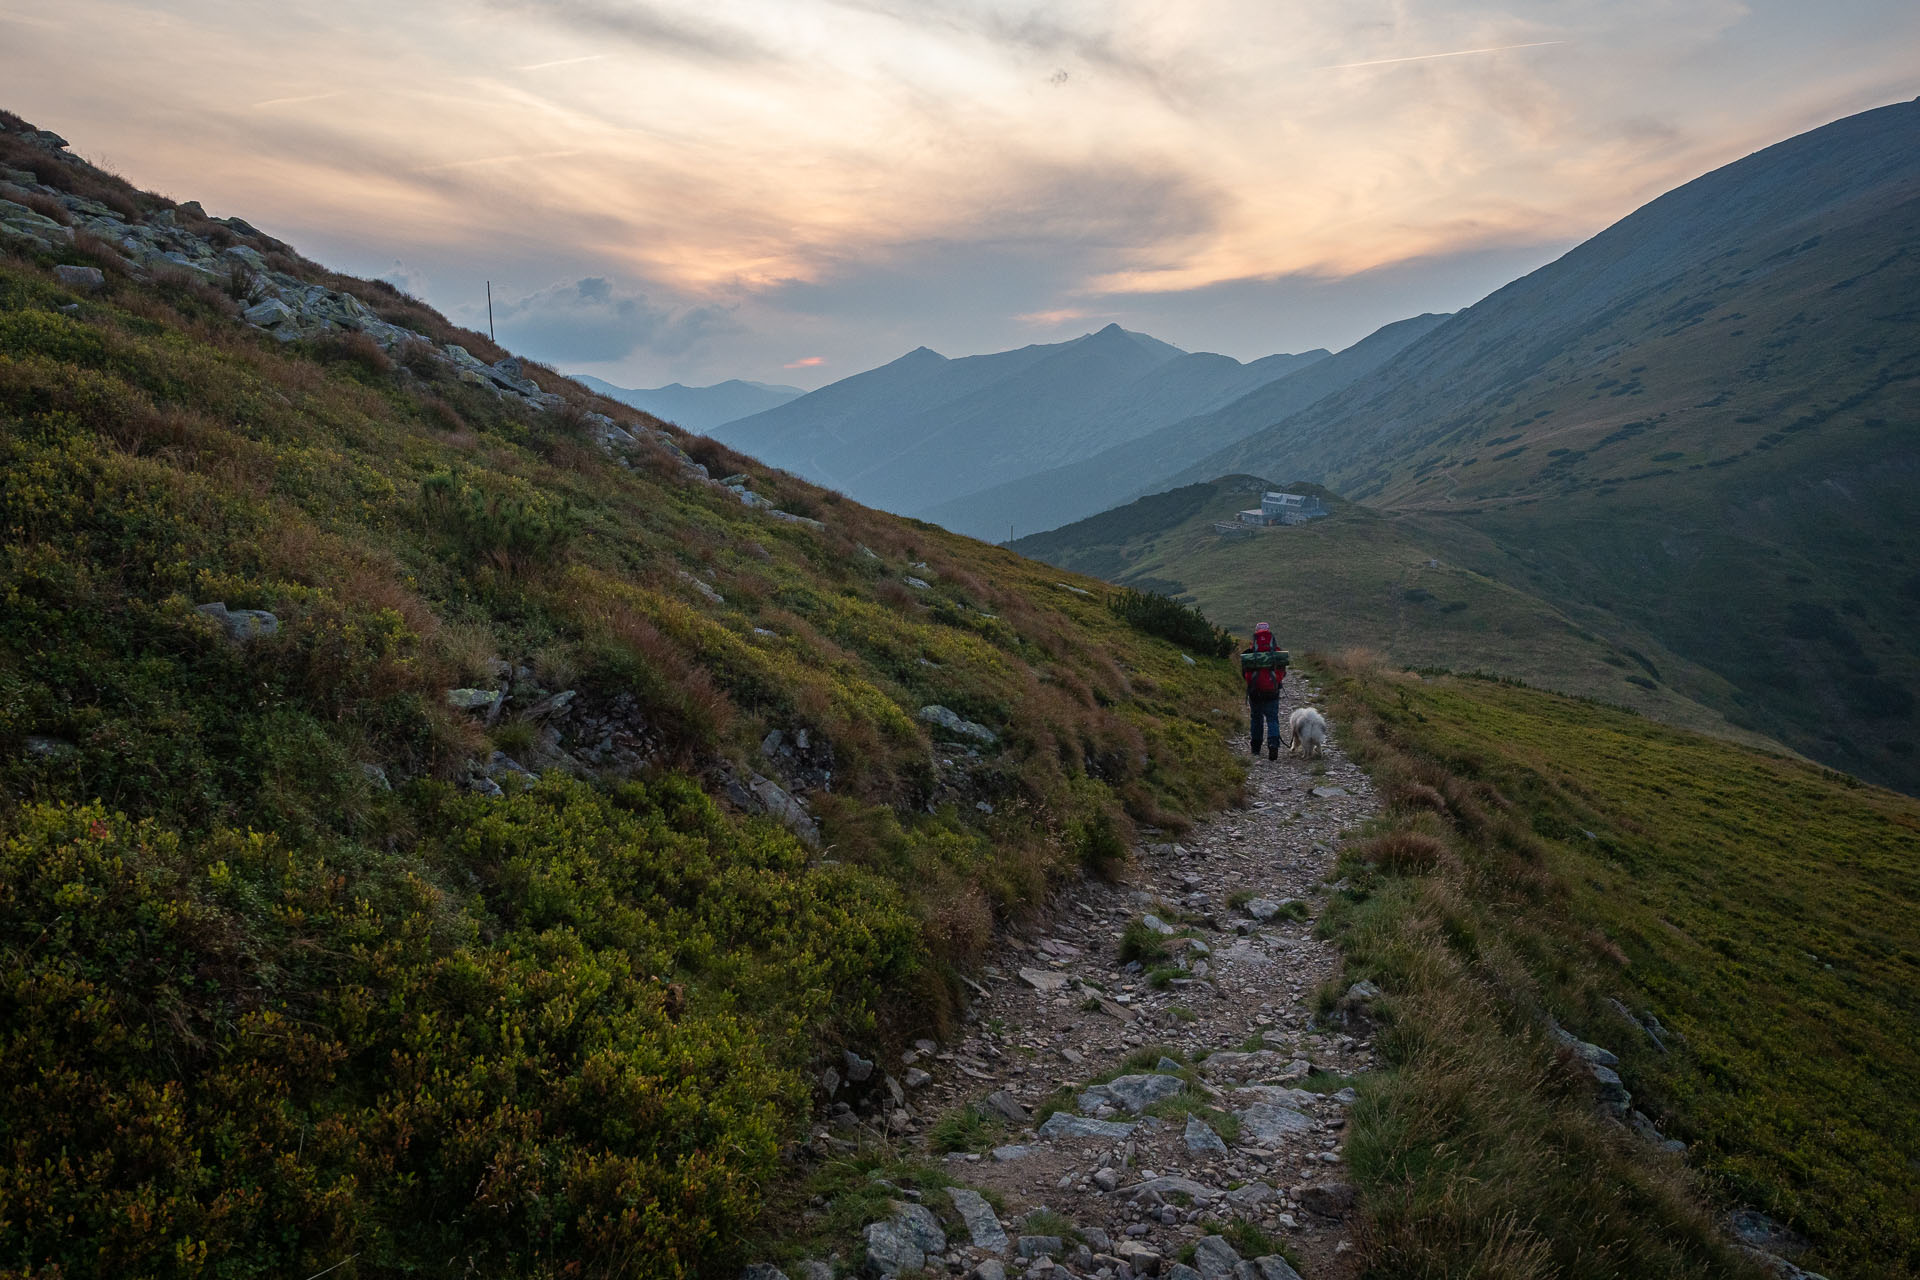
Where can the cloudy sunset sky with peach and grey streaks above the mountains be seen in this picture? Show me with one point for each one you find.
(794, 191)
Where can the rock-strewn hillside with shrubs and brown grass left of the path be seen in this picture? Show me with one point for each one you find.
(300, 968)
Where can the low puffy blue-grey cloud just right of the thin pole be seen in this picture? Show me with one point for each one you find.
(594, 321)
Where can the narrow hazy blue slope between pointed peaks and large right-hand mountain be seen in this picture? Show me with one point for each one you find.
(1143, 465)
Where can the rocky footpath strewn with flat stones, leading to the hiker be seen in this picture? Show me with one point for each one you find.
(1059, 1008)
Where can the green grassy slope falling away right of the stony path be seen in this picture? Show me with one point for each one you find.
(1739, 928)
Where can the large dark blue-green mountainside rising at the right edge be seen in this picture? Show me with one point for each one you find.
(1704, 423)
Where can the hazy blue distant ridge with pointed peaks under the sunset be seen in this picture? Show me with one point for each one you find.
(926, 429)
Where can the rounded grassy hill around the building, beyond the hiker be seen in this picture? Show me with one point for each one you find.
(1360, 579)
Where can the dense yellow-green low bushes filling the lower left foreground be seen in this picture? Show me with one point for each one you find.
(229, 1056)
